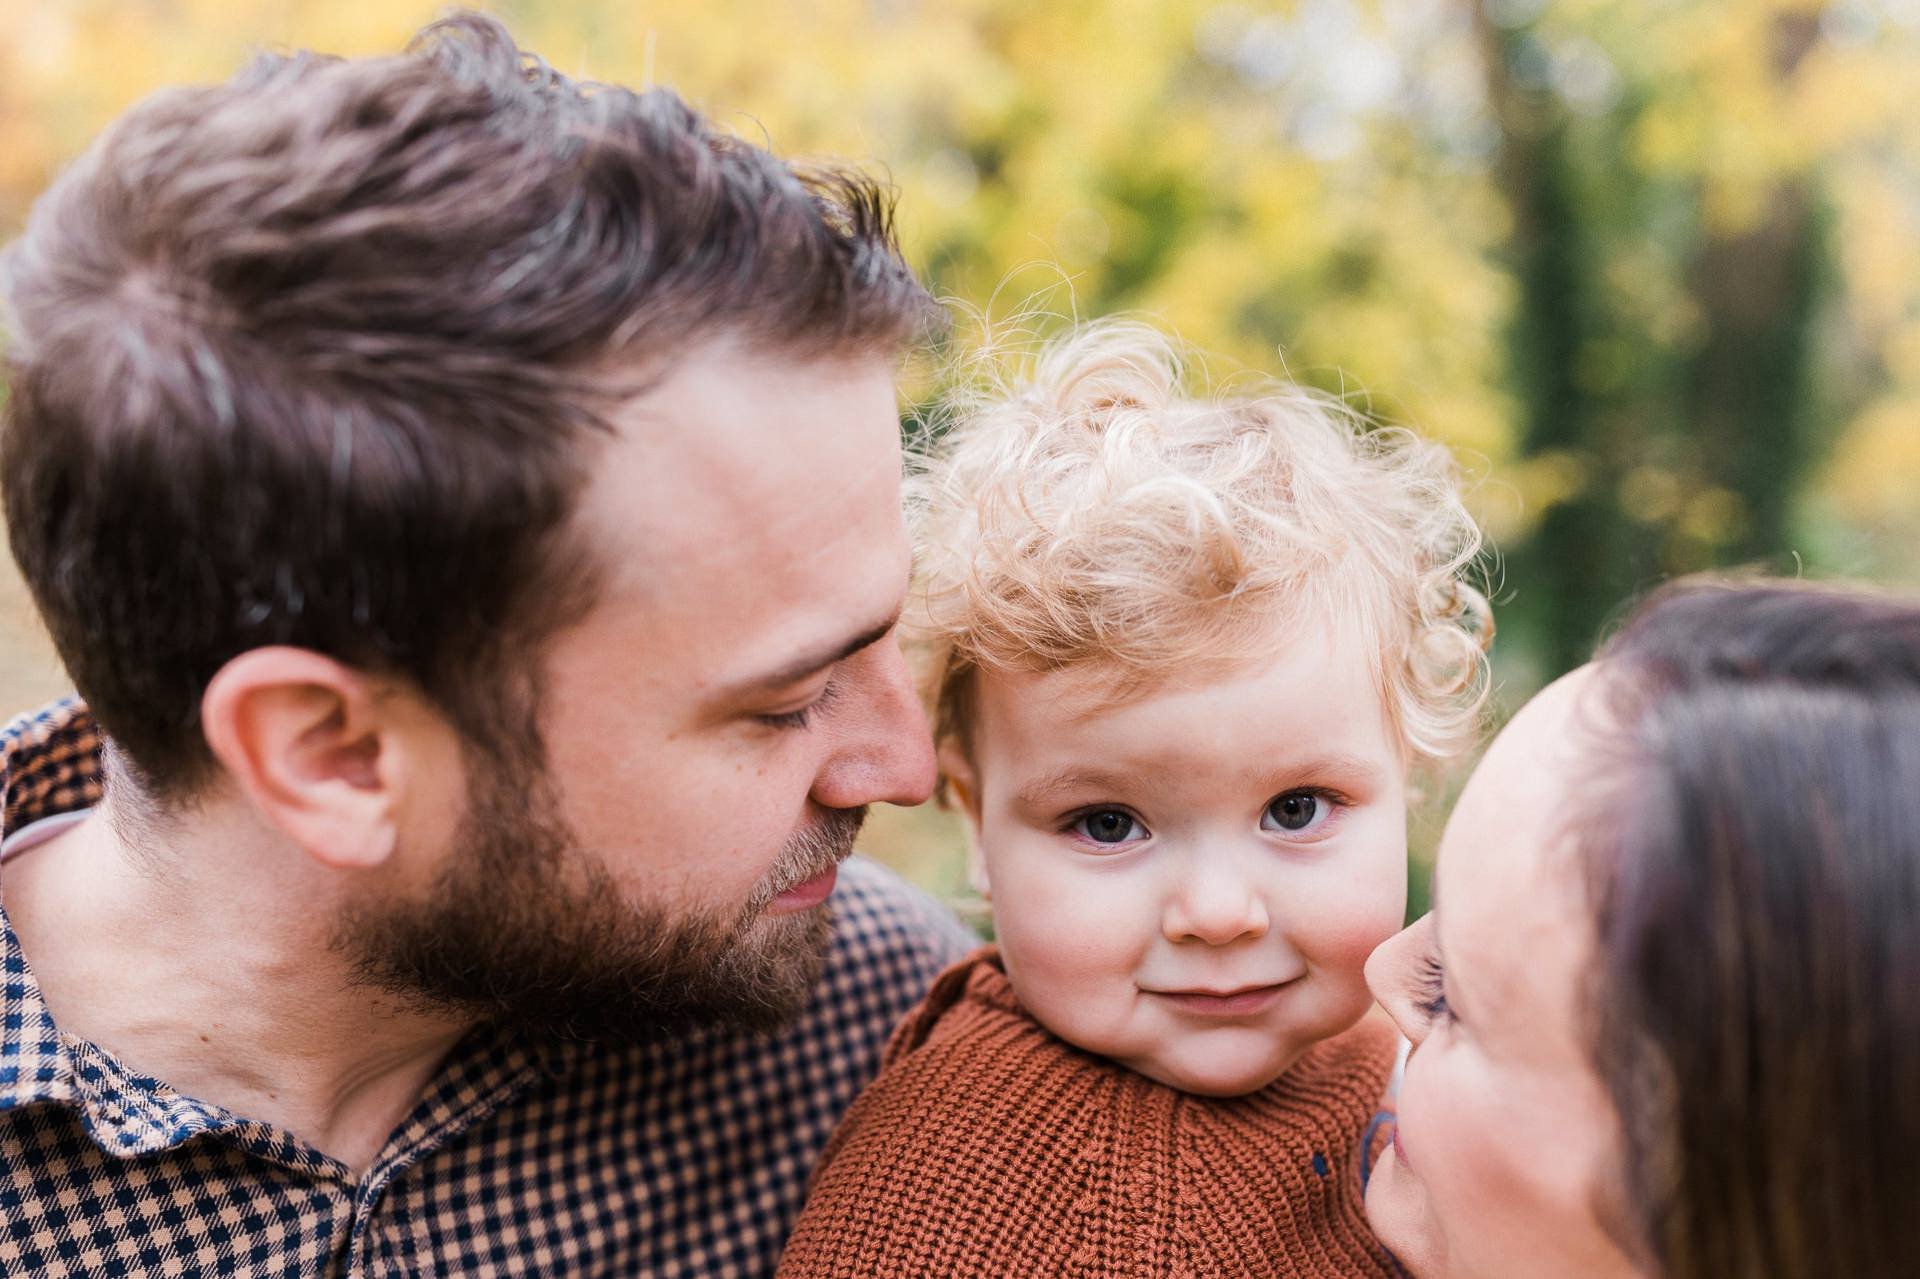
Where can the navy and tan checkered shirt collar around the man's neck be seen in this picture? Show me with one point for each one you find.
(51, 765)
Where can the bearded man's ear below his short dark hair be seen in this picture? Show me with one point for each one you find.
(314, 746)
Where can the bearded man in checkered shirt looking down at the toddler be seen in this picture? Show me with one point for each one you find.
(469, 506)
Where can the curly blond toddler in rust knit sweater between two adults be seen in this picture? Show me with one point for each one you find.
(1182, 658)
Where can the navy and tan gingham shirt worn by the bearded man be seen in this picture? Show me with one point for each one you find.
(525, 1157)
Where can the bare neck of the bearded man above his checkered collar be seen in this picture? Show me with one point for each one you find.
(208, 963)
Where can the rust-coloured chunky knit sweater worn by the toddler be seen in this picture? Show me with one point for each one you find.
(992, 1149)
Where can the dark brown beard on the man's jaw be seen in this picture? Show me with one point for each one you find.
(527, 929)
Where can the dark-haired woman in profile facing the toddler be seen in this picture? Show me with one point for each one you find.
(1666, 1017)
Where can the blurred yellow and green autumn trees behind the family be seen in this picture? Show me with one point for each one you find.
(1650, 266)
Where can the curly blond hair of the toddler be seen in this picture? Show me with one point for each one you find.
(1095, 514)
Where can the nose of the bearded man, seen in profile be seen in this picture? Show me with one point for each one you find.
(882, 750)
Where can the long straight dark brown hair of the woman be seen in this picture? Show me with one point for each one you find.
(1756, 857)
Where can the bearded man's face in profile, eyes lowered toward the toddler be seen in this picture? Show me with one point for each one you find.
(713, 727)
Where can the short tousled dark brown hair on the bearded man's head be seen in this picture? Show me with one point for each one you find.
(312, 358)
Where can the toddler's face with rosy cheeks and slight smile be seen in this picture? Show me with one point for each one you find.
(1191, 882)
